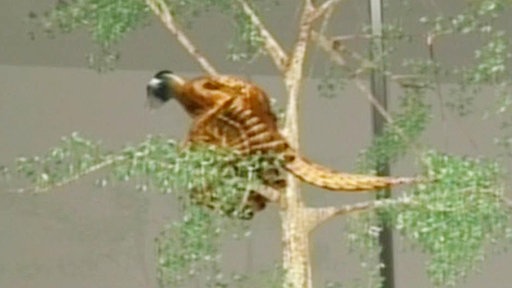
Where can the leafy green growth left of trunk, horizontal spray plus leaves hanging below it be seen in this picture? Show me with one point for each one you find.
(185, 247)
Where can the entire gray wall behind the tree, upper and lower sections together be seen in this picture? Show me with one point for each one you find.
(82, 236)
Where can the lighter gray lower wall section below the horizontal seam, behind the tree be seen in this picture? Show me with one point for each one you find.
(82, 236)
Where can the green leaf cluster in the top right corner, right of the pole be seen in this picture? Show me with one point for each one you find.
(491, 62)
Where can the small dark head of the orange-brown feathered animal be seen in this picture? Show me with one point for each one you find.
(162, 88)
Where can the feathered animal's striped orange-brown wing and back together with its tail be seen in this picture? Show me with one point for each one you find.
(248, 125)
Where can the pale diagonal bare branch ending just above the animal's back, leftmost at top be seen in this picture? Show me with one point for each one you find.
(162, 11)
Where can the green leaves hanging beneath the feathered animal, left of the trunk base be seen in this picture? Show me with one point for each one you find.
(190, 248)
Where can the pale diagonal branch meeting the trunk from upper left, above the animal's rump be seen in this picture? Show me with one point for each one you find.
(271, 45)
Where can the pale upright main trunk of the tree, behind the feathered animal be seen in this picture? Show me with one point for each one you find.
(296, 258)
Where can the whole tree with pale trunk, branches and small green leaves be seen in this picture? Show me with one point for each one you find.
(464, 200)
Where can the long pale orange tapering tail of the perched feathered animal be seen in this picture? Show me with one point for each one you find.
(326, 178)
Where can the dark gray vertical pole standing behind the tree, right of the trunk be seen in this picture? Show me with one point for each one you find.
(379, 90)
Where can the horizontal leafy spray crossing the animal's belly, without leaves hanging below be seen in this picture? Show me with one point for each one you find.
(206, 175)
